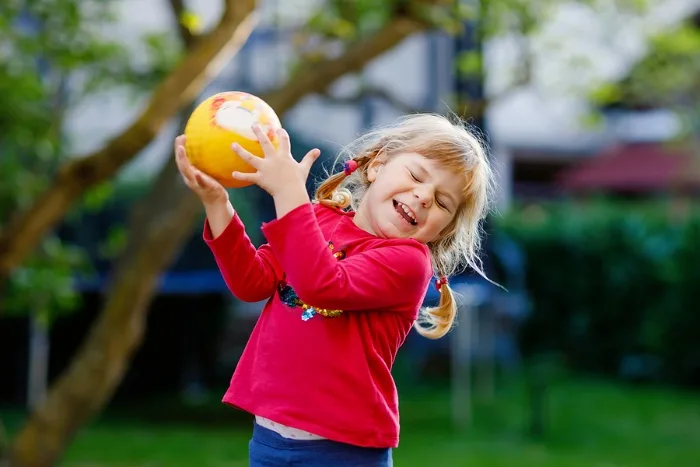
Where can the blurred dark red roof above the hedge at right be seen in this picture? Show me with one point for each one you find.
(634, 167)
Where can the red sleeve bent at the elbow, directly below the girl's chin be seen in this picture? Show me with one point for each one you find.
(393, 276)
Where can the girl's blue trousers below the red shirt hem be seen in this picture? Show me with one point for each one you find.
(269, 449)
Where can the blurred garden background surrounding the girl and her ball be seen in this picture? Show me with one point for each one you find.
(118, 336)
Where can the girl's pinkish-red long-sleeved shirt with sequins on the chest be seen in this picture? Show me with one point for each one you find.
(330, 376)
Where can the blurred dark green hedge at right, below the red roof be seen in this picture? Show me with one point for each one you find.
(615, 287)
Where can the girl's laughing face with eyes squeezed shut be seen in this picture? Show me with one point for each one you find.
(409, 197)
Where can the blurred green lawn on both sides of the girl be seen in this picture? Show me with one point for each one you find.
(590, 424)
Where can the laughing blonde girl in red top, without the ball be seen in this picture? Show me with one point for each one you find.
(344, 278)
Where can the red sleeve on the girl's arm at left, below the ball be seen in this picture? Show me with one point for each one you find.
(251, 275)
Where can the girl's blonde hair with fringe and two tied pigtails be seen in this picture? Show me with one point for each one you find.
(438, 138)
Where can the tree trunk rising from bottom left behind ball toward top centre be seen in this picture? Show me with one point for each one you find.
(159, 227)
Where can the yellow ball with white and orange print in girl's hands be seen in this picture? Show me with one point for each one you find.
(217, 123)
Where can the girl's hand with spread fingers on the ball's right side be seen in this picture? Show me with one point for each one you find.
(278, 169)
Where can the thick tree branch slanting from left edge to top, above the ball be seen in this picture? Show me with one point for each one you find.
(179, 89)
